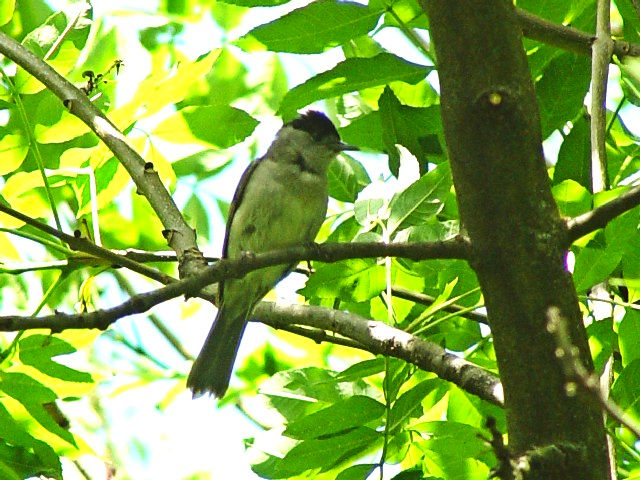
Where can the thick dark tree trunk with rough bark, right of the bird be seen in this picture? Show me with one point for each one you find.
(492, 129)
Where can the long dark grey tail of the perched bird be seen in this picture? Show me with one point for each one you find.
(211, 371)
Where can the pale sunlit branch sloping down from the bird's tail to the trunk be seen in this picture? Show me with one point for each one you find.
(380, 338)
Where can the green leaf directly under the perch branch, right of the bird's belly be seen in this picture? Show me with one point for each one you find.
(356, 280)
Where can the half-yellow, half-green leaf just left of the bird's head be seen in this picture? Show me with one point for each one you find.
(221, 126)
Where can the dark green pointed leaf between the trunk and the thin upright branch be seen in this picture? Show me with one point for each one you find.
(574, 157)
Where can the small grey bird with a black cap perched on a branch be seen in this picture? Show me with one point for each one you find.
(281, 201)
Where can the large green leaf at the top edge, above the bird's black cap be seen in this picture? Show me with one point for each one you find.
(320, 25)
